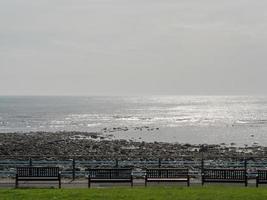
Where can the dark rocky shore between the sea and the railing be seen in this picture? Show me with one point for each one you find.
(90, 145)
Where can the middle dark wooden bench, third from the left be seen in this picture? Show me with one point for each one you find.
(167, 175)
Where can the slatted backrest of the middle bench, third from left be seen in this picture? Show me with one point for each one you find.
(167, 173)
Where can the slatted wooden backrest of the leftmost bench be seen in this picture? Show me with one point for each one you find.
(37, 171)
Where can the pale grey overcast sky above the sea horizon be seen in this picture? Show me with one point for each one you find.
(124, 47)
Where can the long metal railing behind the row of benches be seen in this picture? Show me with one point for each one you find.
(75, 167)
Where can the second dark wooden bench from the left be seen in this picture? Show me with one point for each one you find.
(112, 175)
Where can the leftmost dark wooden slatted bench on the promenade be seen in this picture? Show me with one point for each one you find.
(38, 174)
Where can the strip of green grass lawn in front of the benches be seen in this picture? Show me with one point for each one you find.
(139, 193)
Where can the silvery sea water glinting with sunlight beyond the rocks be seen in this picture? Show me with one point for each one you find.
(184, 119)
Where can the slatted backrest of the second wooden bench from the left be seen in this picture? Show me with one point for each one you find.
(122, 173)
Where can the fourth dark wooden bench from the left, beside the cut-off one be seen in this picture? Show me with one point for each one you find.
(224, 176)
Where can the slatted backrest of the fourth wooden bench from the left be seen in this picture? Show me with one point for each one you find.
(225, 174)
